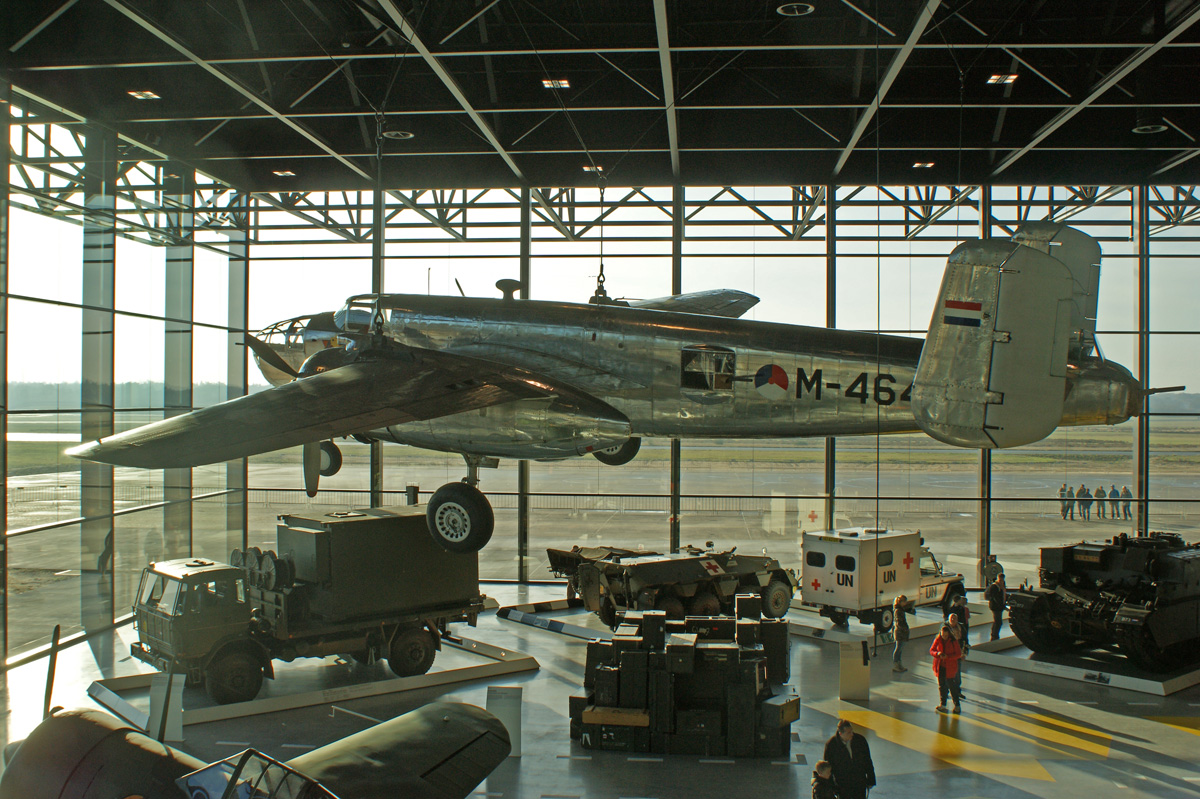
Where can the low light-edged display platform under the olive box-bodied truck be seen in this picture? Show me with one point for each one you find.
(464, 660)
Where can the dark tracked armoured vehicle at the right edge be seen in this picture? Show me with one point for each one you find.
(1141, 594)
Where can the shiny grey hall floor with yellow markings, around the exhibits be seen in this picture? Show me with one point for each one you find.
(1019, 735)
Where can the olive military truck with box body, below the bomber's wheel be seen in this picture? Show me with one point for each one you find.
(367, 585)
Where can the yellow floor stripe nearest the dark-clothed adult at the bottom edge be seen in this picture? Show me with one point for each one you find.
(958, 753)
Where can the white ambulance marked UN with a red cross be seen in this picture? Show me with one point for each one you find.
(860, 572)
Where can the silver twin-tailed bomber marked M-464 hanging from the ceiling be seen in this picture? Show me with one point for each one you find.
(1011, 355)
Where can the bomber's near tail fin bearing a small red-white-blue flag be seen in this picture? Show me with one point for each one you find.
(993, 370)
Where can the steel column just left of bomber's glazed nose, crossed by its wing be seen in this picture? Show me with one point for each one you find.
(237, 477)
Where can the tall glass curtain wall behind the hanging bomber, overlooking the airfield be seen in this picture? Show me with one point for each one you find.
(194, 265)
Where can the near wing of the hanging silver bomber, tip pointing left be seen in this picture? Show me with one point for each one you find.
(400, 386)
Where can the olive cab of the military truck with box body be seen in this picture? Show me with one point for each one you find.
(185, 610)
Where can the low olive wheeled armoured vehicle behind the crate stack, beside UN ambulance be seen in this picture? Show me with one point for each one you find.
(694, 581)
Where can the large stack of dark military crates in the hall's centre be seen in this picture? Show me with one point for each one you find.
(705, 686)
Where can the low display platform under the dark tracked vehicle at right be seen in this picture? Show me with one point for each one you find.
(1100, 668)
